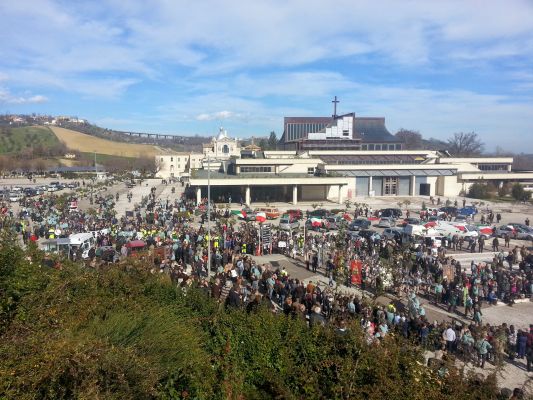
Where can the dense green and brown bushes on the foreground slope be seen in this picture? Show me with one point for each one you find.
(123, 333)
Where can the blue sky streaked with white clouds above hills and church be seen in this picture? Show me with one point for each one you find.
(187, 67)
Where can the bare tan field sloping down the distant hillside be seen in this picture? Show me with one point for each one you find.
(89, 144)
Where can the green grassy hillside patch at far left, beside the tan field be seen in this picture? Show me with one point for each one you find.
(14, 140)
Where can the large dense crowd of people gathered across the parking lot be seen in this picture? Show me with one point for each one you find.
(180, 247)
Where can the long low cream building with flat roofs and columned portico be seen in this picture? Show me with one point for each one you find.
(289, 176)
